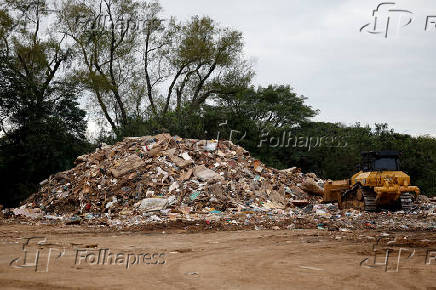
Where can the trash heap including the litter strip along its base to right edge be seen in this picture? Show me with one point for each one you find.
(164, 179)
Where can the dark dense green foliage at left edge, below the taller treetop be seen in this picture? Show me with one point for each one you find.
(41, 136)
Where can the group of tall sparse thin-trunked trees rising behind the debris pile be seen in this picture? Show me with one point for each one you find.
(139, 66)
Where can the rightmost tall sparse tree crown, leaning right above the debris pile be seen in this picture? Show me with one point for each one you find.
(210, 62)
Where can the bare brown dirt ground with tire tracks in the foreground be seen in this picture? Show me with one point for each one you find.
(285, 259)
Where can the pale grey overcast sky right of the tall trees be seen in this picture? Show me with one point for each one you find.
(316, 46)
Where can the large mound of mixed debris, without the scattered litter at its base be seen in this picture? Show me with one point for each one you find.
(163, 176)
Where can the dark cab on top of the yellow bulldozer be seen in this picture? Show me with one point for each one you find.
(380, 161)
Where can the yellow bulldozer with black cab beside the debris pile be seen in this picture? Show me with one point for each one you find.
(378, 184)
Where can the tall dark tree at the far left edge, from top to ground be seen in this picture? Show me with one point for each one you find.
(43, 130)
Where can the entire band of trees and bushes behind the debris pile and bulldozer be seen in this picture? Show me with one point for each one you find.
(137, 74)
